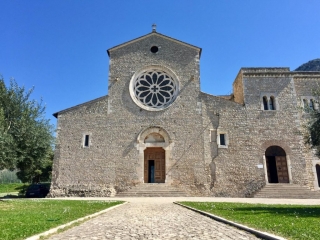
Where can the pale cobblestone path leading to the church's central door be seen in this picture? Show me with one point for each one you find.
(152, 221)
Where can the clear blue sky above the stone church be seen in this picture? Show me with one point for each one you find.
(60, 46)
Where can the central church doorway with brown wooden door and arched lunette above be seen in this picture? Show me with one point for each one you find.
(154, 159)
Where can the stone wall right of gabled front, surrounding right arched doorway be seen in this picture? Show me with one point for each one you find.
(250, 131)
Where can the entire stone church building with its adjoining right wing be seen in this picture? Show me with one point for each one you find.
(156, 126)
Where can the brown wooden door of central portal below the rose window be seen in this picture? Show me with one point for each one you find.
(158, 155)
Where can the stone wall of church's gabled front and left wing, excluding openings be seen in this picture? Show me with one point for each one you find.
(111, 161)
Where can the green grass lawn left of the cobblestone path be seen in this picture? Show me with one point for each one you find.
(23, 218)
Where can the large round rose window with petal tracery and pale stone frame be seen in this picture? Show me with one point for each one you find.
(153, 89)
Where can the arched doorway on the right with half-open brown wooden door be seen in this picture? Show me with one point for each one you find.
(276, 162)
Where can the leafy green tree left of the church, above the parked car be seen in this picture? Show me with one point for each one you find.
(25, 135)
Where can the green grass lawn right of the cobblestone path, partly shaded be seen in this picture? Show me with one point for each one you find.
(289, 221)
